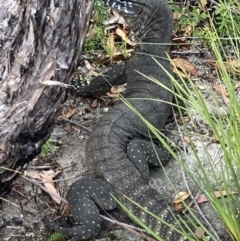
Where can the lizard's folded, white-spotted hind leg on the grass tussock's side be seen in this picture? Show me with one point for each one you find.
(145, 153)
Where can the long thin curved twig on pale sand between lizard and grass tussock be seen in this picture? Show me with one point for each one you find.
(185, 181)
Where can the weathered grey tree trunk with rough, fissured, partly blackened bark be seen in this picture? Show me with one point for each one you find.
(40, 40)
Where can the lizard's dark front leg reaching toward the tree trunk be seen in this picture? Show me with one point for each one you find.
(102, 83)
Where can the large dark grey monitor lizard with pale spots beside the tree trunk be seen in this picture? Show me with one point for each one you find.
(119, 148)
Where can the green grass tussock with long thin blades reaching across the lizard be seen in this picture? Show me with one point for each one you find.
(224, 176)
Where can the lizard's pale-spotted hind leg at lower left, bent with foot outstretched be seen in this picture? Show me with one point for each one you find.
(86, 197)
